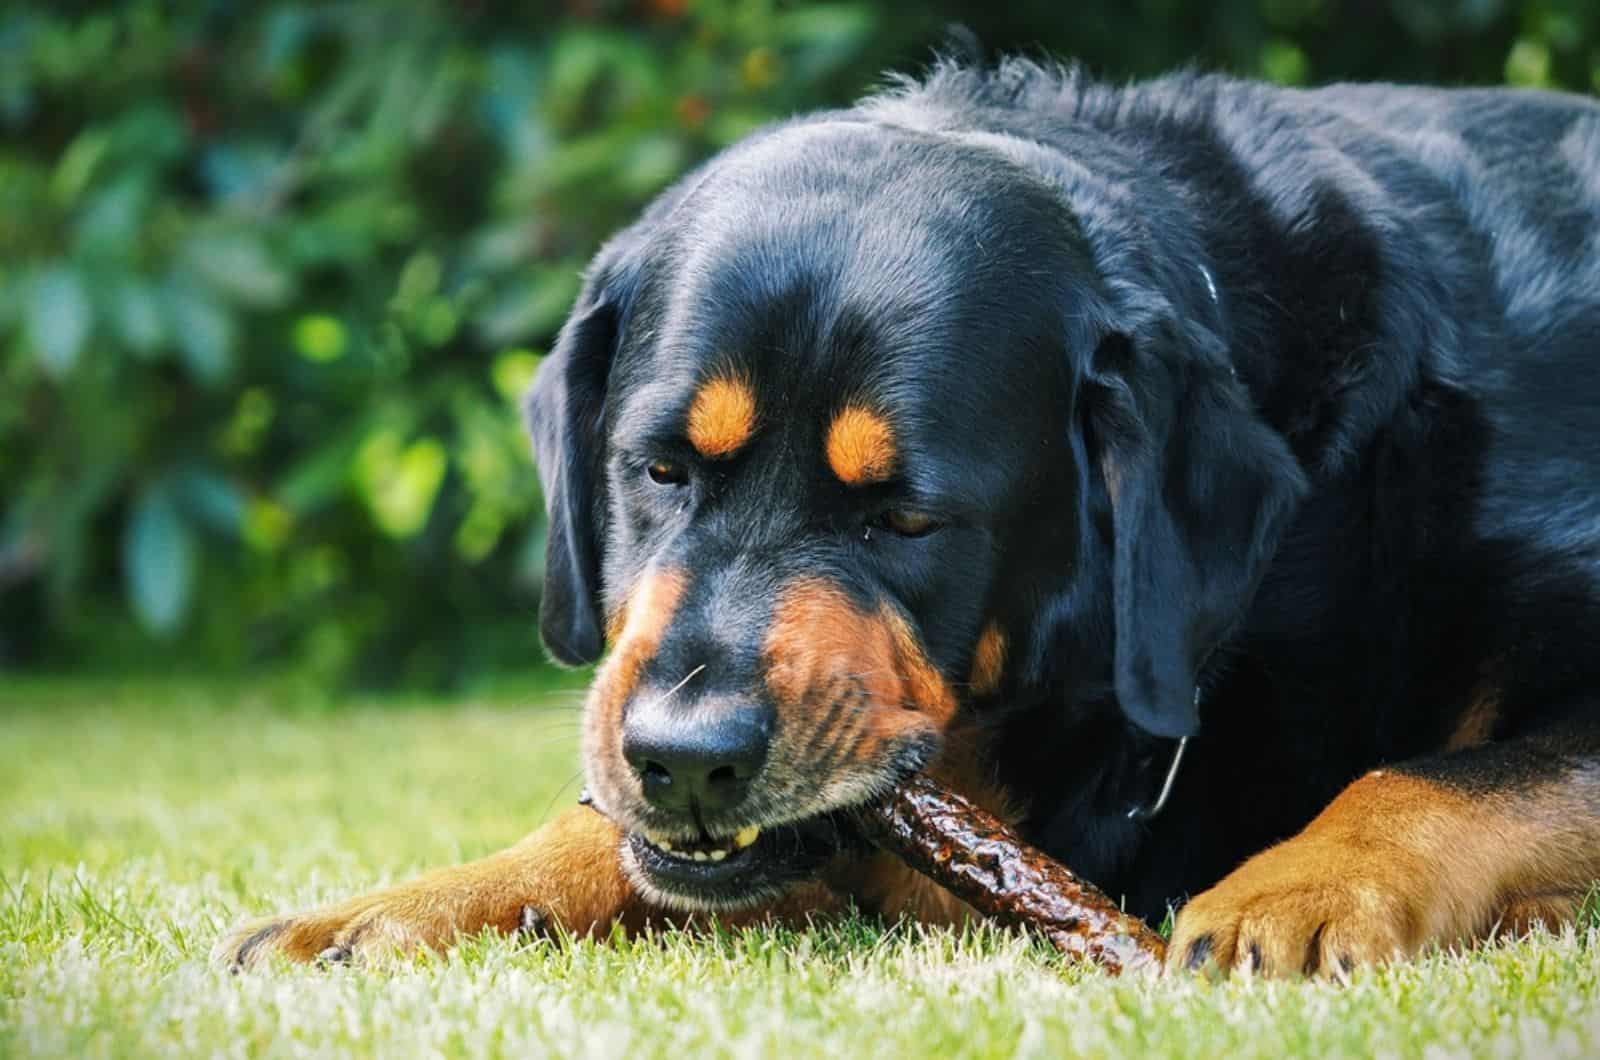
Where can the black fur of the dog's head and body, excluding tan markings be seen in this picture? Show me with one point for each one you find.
(1289, 395)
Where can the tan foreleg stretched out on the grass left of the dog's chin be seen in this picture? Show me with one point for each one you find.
(567, 873)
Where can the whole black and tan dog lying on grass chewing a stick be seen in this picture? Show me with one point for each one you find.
(1015, 428)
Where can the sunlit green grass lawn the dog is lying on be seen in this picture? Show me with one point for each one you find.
(138, 821)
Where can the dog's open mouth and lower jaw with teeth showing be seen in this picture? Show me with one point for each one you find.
(748, 867)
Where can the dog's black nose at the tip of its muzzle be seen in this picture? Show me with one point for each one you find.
(697, 758)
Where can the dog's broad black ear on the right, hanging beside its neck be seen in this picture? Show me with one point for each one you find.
(1201, 492)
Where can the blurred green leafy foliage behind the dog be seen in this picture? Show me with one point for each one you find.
(273, 275)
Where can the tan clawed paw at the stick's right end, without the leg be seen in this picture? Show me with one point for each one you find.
(1308, 907)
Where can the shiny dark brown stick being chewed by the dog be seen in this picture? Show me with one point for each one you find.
(983, 862)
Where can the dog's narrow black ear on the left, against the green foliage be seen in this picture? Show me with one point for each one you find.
(566, 412)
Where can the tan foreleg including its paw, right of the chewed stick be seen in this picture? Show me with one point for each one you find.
(1393, 865)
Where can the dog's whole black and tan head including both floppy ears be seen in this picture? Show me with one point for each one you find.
(850, 436)
